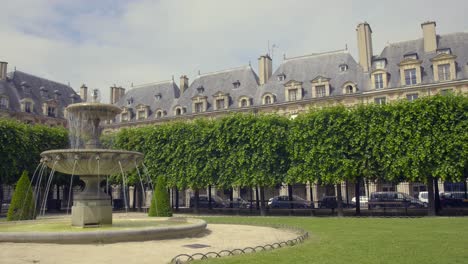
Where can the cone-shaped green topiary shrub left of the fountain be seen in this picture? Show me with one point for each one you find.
(22, 202)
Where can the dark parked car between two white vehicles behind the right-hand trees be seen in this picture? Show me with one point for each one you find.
(393, 199)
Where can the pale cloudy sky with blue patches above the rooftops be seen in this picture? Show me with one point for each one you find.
(105, 42)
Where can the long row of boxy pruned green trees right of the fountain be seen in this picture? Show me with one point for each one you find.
(421, 141)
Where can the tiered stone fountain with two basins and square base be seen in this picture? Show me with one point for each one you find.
(88, 160)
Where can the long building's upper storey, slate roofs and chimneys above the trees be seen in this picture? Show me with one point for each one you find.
(404, 70)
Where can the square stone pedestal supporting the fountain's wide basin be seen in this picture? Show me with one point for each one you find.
(92, 206)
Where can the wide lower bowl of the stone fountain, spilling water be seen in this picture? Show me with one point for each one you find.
(92, 161)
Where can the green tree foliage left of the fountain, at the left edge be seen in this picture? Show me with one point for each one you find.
(21, 144)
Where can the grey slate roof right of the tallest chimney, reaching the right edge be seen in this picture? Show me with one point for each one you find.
(394, 53)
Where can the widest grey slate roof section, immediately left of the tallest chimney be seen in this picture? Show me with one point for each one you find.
(306, 68)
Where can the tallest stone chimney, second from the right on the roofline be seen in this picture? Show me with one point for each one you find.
(364, 36)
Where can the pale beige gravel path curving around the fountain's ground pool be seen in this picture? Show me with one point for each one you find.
(217, 237)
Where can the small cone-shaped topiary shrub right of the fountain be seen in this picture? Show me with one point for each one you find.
(160, 203)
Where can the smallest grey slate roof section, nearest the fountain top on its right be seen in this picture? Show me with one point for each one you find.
(146, 94)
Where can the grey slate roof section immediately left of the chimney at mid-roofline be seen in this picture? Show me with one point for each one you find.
(222, 81)
